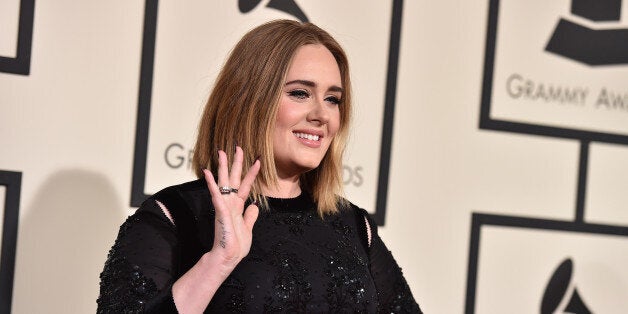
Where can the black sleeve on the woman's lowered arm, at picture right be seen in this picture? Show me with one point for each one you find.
(392, 289)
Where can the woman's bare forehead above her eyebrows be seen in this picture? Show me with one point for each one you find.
(316, 63)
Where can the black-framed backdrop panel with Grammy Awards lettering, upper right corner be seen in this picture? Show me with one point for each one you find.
(557, 68)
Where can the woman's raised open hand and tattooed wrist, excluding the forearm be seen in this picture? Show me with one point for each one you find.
(233, 225)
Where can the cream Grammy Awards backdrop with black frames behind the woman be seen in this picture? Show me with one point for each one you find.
(490, 139)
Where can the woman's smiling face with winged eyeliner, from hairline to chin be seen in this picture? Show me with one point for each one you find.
(308, 116)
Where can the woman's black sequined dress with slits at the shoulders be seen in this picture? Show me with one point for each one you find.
(298, 262)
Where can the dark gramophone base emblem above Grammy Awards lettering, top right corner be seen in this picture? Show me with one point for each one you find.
(591, 46)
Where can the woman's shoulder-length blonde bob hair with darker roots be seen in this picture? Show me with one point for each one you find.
(242, 109)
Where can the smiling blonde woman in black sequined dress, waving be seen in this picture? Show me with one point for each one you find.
(279, 238)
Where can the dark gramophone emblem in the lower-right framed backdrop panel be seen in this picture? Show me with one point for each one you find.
(559, 288)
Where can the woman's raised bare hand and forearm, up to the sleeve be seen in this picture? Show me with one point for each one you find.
(232, 237)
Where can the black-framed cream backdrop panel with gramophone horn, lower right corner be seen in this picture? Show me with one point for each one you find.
(532, 265)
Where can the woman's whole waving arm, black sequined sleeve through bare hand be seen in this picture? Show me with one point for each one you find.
(141, 271)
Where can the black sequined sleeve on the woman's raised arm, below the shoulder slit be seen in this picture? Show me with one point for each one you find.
(141, 266)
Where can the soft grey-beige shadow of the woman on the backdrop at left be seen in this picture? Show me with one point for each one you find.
(64, 236)
